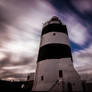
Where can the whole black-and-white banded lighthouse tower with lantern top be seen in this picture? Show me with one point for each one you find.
(55, 71)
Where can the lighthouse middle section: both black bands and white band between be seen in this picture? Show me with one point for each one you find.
(54, 43)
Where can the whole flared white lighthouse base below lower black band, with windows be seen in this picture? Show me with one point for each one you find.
(68, 81)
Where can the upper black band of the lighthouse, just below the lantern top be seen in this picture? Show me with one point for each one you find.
(54, 28)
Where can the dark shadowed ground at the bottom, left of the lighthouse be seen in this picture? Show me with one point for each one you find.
(15, 86)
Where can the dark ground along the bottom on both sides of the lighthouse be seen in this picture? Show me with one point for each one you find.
(26, 86)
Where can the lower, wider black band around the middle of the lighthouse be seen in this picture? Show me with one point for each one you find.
(54, 51)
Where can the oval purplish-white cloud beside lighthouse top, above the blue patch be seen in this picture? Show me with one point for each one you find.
(78, 33)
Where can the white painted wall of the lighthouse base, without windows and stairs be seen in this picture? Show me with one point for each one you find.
(50, 70)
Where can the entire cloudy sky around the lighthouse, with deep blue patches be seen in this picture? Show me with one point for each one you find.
(21, 23)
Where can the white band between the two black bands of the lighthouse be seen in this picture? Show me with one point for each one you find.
(59, 37)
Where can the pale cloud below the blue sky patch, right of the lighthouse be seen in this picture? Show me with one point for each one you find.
(82, 61)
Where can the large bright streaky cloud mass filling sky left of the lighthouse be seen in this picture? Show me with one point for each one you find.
(20, 29)
